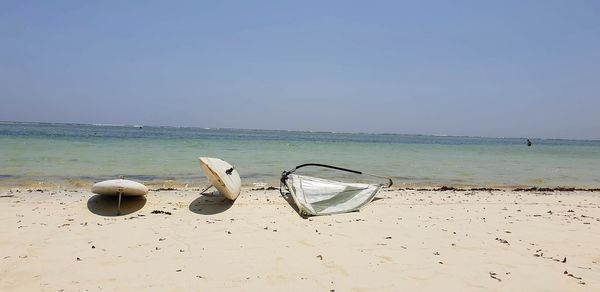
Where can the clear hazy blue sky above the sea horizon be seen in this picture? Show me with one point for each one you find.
(474, 68)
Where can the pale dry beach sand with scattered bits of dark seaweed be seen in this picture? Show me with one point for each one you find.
(405, 240)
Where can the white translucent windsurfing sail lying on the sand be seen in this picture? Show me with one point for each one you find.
(316, 196)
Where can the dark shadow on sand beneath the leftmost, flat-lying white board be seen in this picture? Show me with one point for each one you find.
(107, 205)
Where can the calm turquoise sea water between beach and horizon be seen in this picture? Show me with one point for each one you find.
(57, 153)
